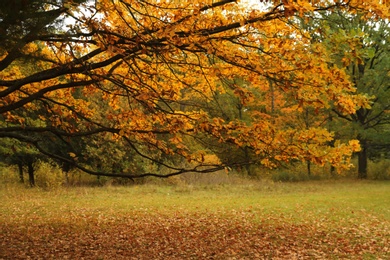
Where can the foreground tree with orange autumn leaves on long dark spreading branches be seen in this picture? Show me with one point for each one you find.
(146, 61)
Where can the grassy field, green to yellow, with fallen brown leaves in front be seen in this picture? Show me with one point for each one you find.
(259, 220)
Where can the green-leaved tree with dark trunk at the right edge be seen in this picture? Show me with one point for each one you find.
(360, 45)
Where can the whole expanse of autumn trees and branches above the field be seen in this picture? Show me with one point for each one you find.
(135, 89)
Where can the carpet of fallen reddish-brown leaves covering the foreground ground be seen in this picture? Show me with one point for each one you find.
(230, 234)
